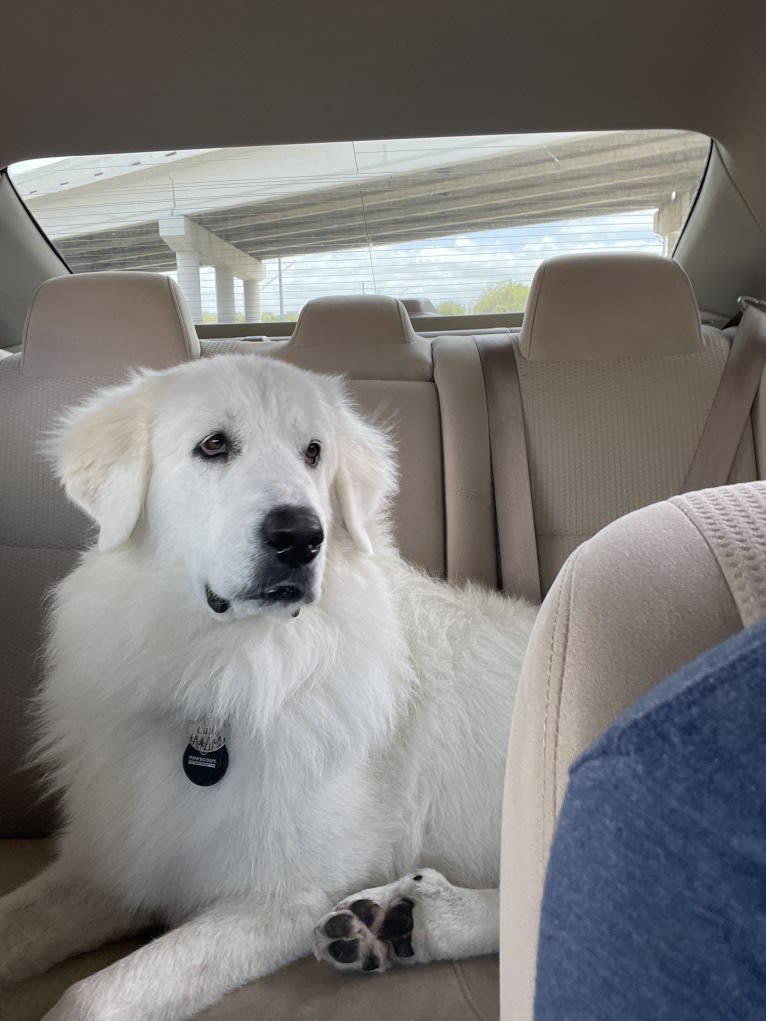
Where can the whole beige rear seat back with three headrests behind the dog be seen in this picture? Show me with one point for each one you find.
(617, 378)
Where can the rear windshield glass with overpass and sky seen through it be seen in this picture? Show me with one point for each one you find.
(454, 225)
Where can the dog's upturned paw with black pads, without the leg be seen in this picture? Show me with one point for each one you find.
(374, 930)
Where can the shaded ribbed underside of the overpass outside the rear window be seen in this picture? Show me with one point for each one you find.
(593, 176)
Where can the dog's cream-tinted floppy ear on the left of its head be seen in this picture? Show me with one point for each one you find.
(102, 453)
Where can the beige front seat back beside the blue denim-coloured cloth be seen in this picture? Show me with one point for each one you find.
(647, 595)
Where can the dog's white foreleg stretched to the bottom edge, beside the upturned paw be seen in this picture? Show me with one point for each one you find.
(194, 966)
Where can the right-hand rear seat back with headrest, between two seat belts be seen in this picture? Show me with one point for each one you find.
(617, 378)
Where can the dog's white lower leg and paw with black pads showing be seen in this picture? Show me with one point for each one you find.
(417, 919)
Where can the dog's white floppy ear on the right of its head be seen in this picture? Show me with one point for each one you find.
(366, 478)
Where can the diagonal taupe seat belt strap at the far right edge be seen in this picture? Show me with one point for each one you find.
(732, 406)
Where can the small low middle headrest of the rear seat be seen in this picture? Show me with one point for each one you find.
(366, 336)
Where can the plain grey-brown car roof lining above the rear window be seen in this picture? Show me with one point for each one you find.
(178, 79)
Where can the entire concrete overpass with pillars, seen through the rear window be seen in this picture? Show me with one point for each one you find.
(234, 209)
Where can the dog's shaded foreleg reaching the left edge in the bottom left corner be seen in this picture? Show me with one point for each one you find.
(53, 917)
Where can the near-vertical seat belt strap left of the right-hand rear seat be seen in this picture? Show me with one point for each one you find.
(519, 568)
